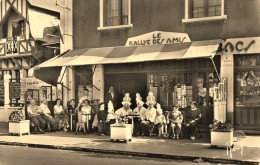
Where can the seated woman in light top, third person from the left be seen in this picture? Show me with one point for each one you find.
(59, 114)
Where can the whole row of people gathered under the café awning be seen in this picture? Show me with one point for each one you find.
(102, 115)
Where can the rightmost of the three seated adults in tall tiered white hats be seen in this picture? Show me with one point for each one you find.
(150, 114)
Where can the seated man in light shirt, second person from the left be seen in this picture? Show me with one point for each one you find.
(47, 115)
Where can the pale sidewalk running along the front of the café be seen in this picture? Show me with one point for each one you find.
(140, 146)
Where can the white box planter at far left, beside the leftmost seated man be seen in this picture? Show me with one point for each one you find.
(19, 127)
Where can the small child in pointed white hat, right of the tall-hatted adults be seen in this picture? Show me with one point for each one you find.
(160, 120)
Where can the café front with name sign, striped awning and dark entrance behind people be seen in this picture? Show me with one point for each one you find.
(175, 69)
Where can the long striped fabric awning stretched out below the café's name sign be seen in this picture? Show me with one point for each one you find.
(115, 55)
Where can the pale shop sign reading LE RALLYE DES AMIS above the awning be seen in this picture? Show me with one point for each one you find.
(158, 38)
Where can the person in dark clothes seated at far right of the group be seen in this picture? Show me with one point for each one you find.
(193, 116)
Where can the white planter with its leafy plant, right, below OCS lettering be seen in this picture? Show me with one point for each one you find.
(221, 133)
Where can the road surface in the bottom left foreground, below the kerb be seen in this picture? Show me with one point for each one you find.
(15, 155)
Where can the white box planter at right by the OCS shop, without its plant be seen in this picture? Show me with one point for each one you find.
(221, 138)
